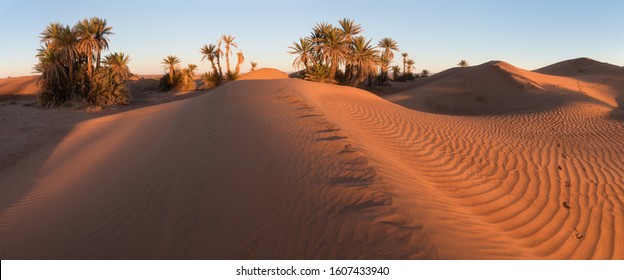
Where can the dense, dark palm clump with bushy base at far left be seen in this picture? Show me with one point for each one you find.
(72, 68)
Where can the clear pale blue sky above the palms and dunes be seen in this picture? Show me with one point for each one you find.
(437, 34)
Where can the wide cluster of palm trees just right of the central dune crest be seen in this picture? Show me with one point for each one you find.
(340, 55)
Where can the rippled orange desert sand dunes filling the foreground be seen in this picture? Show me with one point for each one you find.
(483, 162)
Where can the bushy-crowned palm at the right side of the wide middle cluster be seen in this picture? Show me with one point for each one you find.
(364, 59)
